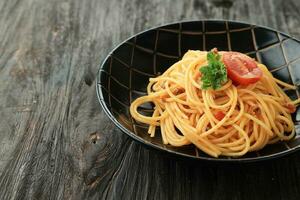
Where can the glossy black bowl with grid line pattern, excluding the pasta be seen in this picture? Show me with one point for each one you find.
(125, 72)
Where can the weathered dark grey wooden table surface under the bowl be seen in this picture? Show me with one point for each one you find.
(57, 143)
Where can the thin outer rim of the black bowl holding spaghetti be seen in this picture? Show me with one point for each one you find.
(159, 148)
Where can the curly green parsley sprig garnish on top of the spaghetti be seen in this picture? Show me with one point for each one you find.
(214, 74)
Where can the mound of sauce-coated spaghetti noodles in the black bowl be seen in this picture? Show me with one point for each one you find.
(254, 115)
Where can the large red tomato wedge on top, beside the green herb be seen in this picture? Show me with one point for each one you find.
(241, 69)
